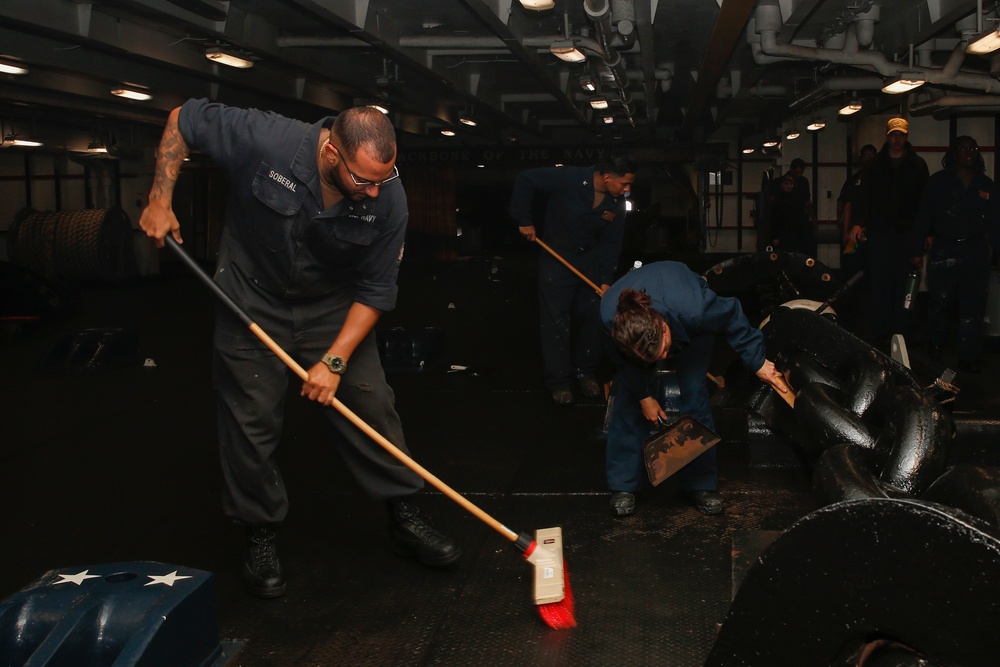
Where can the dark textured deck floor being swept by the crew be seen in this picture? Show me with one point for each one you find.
(121, 465)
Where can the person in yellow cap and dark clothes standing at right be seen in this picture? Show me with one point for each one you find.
(883, 213)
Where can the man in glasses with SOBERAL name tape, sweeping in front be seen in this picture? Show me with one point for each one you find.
(311, 248)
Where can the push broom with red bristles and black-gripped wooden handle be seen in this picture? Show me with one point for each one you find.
(552, 593)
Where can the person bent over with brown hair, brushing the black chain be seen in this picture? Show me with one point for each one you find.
(662, 309)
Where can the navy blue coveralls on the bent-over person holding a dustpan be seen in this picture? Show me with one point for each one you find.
(695, 315)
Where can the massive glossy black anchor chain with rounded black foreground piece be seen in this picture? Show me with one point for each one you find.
(901, 565)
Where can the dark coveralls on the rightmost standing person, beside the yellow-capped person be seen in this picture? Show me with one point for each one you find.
(964, 223)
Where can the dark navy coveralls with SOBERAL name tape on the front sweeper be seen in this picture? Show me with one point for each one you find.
(295, 269)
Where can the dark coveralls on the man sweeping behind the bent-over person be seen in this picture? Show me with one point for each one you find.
(588, 237)
